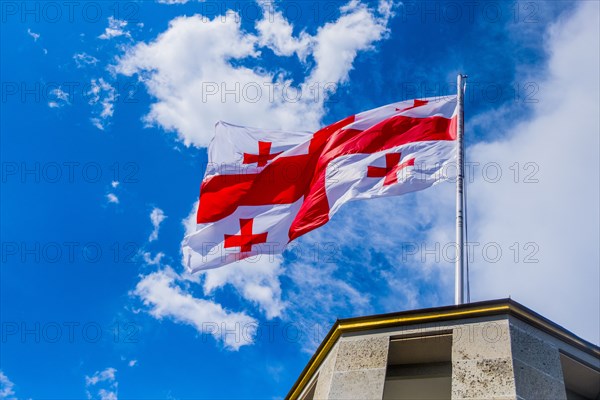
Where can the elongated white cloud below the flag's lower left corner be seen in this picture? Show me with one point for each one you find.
(165, 299)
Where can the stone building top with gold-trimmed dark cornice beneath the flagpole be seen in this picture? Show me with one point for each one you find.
(489, 350)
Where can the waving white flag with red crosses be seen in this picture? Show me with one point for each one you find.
(265, 188)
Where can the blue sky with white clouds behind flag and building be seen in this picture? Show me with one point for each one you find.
(106, 112)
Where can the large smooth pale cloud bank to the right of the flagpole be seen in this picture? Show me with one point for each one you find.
(559, 214)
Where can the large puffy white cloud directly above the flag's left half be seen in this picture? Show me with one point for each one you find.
(191, 87)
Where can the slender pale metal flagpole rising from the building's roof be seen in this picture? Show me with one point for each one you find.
(459, 266)
